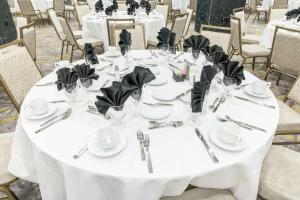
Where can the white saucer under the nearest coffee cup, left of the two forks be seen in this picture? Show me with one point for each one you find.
(97, 151)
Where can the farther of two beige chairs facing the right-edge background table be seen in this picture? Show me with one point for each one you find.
(246, 38)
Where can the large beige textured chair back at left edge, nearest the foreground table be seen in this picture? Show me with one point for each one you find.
(18, 74)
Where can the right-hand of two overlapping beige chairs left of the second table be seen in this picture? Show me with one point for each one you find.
(77, 43)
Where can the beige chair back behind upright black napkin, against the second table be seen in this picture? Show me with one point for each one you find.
(138, 37)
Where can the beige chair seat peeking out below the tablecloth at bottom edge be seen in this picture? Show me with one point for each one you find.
(203, 194)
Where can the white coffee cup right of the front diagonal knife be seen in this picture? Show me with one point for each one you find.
(230, 133)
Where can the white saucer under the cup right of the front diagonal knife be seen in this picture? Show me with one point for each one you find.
(213, 136)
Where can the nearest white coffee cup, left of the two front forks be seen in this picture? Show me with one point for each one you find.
(107, 138)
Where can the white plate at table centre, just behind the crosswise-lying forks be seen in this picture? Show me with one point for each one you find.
(155, 112)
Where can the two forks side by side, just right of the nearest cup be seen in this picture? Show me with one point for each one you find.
(144, 142)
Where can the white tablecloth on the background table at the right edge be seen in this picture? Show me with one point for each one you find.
(268, 33)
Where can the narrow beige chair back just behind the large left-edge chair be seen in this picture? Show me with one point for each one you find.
(29, 39)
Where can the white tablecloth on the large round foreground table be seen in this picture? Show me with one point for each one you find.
(178, 156)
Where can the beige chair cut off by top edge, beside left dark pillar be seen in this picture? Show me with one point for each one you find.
(28, 11)
